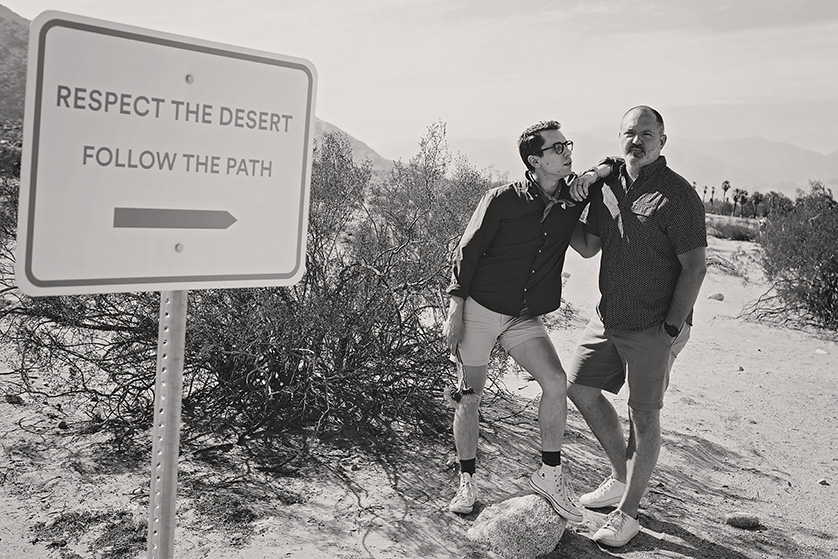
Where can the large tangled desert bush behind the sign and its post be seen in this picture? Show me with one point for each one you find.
(355, 345)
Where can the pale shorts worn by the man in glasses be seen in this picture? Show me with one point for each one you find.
(483, 327)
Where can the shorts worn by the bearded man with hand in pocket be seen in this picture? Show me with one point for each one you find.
(606, 358)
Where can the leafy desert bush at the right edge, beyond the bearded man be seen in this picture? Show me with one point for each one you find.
(799, 257)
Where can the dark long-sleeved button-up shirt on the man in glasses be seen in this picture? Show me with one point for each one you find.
(508, 258)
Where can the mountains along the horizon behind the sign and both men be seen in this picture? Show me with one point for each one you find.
(751, 163)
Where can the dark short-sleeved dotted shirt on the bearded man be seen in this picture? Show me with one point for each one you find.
(643, 229)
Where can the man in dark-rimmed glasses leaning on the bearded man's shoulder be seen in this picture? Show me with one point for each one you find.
(507, 273)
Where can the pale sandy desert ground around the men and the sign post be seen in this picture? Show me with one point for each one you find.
(750, 424)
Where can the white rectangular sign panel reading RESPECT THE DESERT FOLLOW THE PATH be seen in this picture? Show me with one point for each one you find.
(155, 162)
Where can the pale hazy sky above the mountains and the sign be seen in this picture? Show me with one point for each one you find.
(488, 68)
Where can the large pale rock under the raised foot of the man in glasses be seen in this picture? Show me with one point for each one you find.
(519, 528)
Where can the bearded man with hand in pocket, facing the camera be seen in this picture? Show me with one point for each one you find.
(649, 222)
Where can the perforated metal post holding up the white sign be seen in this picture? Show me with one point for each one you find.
(166, 430)
